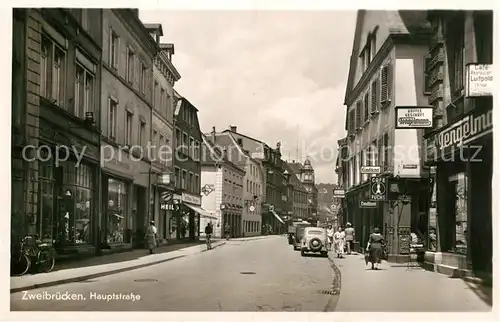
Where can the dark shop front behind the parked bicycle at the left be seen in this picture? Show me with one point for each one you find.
(68, 189)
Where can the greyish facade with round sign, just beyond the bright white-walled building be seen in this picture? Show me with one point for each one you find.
(252, 181)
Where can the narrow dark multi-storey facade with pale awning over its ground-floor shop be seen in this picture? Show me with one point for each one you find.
(187, 170)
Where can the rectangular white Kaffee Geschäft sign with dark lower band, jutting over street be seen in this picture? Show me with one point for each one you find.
(414, 117)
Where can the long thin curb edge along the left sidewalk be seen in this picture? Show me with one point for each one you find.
(99, 274)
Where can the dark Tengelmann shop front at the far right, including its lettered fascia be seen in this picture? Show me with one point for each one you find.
(460, 216)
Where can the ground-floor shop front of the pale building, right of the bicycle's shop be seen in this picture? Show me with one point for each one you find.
(124, 200)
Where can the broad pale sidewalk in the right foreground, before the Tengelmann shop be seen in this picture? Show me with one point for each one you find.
(394, 287)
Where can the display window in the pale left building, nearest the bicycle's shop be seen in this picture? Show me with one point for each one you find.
(117, 210)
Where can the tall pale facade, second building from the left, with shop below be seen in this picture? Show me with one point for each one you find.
(126, 98)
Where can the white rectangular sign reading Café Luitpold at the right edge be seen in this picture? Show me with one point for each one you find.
(479, 80)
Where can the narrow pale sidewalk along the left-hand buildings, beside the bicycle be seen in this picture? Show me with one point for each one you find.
(106, 265)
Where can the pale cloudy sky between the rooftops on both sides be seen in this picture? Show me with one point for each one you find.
(277, 76)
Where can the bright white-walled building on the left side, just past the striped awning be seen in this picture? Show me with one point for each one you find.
(222, 184)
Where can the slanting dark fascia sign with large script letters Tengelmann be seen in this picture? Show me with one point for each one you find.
(465, 131)
